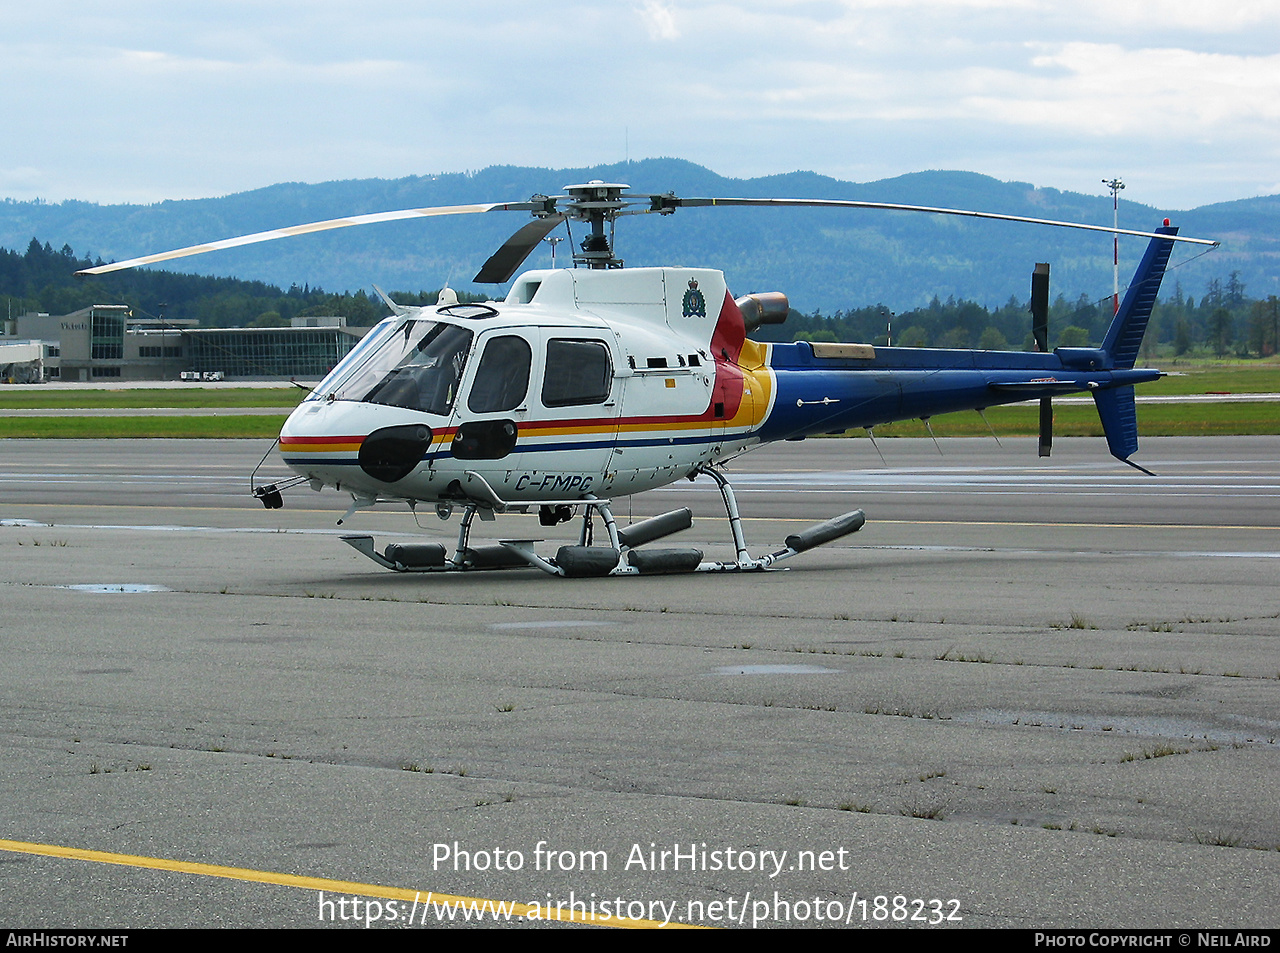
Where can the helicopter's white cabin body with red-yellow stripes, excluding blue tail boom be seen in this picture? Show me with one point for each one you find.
(582, 383)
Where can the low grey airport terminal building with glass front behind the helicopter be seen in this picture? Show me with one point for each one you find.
(106, 342)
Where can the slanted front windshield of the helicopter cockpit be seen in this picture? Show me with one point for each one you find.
(419, 368)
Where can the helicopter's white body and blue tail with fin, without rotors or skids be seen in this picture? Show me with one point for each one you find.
(589, 384)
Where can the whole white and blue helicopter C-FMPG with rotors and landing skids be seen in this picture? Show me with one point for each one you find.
(598, 382)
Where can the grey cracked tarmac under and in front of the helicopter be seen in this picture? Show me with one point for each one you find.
(1045, 694)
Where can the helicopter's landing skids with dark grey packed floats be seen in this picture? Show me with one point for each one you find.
(621, 557)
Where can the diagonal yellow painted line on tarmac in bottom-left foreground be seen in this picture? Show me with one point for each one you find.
(474, 905)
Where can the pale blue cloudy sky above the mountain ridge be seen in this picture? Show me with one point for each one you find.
(139, 102)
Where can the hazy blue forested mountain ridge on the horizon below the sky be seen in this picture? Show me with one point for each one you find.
(824, 259)
